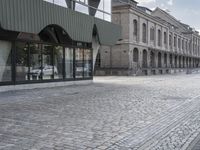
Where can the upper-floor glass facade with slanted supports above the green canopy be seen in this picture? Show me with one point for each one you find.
(100, 9)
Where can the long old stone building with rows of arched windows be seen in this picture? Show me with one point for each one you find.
(153, 42)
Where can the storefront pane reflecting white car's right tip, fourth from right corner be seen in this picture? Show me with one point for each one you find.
(58, 62)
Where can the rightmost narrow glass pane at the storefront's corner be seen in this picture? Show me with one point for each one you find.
(87, 63)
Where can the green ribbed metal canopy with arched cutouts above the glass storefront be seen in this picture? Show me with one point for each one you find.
(32, 16)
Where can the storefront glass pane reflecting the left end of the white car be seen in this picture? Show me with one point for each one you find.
(35, 62)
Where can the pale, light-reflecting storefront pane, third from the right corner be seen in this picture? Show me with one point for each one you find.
(69, 63)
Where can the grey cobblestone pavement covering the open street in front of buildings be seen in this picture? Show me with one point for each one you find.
(114, 113)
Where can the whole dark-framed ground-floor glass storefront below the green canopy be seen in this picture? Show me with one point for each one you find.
(36, 62)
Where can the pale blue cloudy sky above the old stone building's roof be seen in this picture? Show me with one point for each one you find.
(187, 11)
